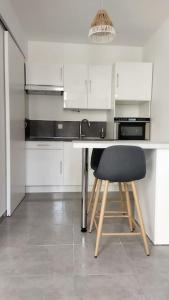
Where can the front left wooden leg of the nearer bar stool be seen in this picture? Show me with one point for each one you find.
(100, 225)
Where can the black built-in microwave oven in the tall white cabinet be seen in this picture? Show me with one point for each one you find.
(132, 128)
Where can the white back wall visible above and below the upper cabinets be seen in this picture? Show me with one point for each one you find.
(51, 107)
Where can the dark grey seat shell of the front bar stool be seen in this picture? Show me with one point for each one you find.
(122, 164)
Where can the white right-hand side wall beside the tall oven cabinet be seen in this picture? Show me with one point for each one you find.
(157, 51)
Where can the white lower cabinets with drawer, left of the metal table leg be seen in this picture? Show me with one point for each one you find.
(53, 166)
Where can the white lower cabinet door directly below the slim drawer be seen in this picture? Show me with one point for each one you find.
(44, 167)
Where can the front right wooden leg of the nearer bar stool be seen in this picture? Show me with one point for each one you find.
(136, 200)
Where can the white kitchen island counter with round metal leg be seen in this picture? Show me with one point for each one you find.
(153, 189)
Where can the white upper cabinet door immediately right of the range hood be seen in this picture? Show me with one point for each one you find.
(75, 86)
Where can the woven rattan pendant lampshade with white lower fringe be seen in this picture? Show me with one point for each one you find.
(102, 30)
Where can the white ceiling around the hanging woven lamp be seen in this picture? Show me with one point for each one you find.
(69, 20)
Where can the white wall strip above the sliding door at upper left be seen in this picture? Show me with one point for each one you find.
(7, 13)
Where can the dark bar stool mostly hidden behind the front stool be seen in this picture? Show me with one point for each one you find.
(95, 159)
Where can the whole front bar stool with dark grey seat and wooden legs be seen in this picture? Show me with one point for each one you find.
(124, 164)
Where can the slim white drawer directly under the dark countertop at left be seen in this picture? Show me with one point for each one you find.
(44, 145)
